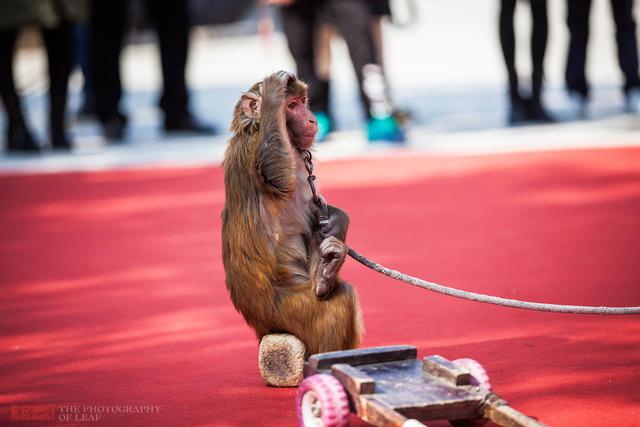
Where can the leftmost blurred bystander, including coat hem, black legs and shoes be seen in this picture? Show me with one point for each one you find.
(54, 18)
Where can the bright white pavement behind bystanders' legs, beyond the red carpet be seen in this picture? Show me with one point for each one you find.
(446, 67)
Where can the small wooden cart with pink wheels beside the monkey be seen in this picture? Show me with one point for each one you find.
(388, 386)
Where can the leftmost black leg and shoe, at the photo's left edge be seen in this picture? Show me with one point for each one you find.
(18, 137)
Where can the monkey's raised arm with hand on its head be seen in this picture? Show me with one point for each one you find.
(275, 160)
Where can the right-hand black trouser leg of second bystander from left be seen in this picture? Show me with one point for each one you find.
(172, 23)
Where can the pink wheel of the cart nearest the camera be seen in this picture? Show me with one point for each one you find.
(322, 402)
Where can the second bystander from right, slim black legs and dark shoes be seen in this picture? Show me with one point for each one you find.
(522, 108)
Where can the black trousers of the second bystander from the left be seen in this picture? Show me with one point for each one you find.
(107, 28)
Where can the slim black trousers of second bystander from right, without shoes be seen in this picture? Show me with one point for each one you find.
(539, 32)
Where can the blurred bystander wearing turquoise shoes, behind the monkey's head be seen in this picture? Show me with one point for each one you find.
(352, 18)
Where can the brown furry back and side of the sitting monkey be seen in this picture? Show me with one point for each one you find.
(265, 239)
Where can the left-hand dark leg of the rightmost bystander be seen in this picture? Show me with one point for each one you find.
(578, 23)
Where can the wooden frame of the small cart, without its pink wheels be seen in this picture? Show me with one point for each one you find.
(388, 385)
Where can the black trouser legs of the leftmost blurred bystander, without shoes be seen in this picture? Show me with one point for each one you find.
(59, 47)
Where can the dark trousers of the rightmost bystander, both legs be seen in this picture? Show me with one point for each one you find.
(578, 22)
